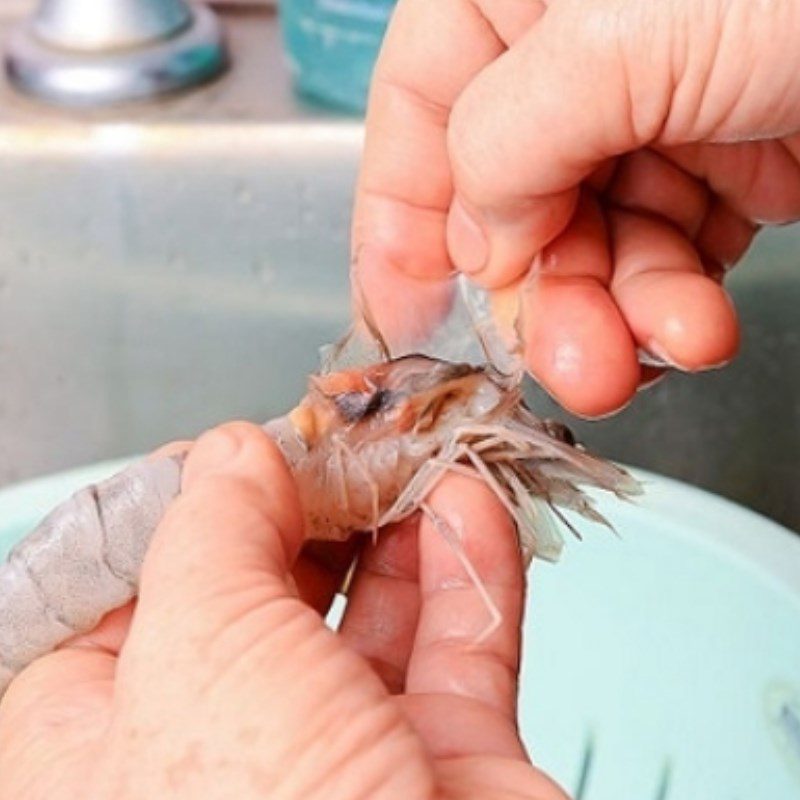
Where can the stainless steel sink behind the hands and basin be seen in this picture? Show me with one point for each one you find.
(169, 265)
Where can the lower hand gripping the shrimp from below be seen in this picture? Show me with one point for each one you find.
(225, 683)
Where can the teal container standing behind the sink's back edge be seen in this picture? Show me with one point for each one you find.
(332, 46)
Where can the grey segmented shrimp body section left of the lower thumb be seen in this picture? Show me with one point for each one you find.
(82, 561)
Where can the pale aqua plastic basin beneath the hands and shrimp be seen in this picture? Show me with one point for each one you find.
(662, 663)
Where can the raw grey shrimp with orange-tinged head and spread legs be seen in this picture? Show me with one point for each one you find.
(365, 447)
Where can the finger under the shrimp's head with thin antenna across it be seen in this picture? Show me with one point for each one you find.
(452, 655)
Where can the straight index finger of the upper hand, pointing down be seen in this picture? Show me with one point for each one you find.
(432, 51)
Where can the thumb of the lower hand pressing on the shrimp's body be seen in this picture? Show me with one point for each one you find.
(227, 544)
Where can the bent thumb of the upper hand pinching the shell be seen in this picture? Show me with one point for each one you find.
(534, 124)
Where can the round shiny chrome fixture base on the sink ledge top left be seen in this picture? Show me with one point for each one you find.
(96, 52)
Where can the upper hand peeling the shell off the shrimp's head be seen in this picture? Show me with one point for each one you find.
(600, 162)
